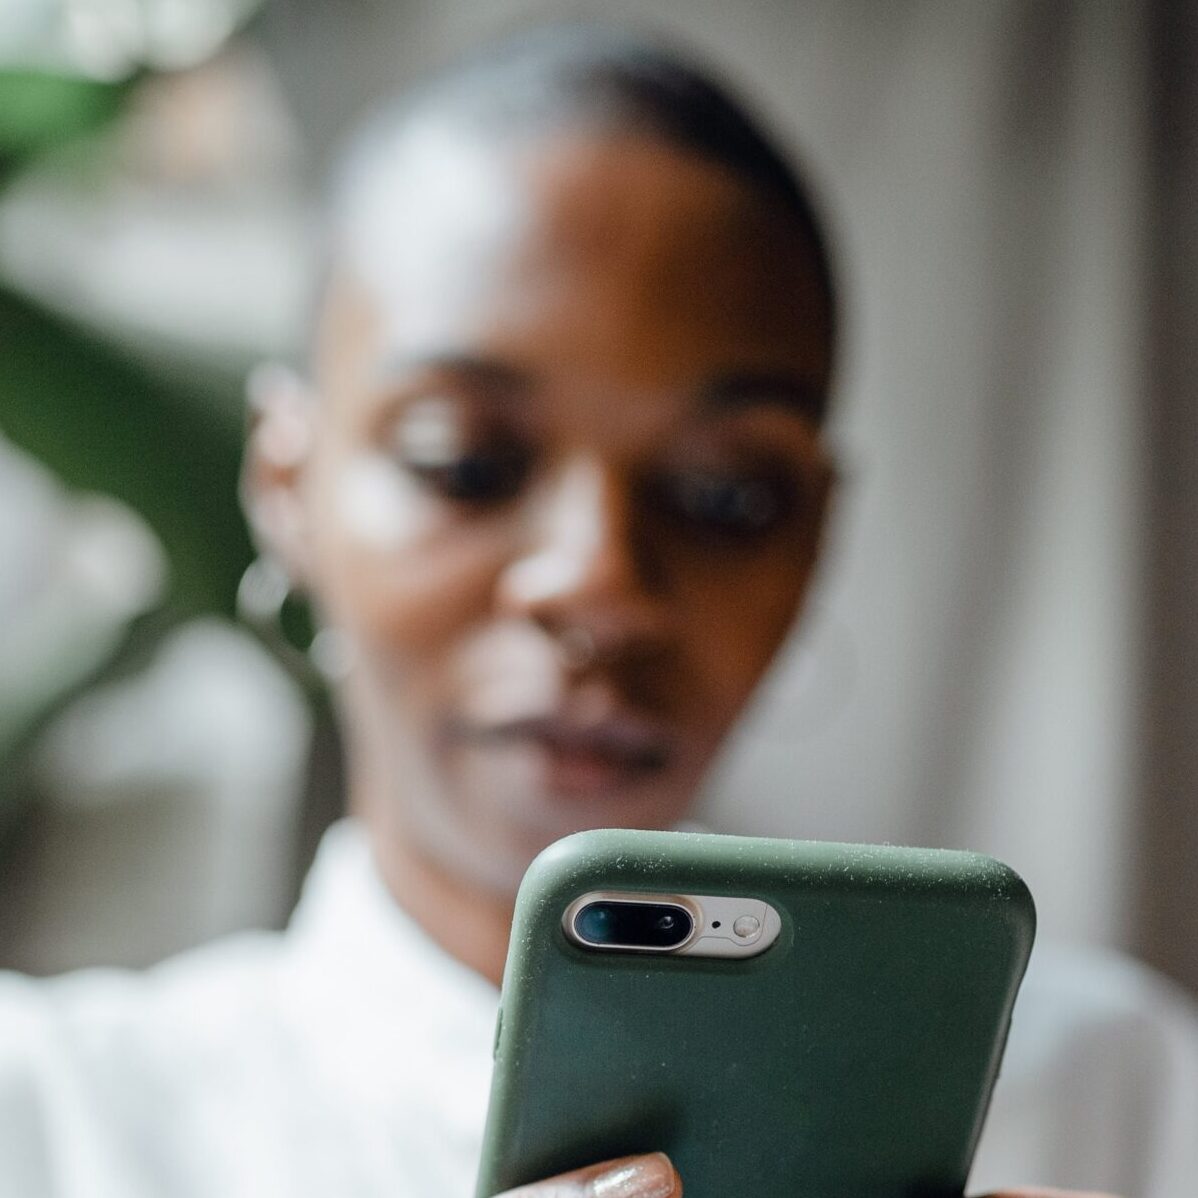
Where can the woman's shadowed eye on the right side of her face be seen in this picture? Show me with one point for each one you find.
(728, 504)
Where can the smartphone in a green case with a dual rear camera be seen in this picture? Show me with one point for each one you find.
(784, 1019)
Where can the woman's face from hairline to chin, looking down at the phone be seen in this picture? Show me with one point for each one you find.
(562, 494)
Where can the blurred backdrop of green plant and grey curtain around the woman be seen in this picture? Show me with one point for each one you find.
(1003, 654)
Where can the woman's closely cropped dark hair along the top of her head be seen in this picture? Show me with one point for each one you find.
(590, 77)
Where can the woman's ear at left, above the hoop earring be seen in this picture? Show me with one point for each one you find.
(282, 412)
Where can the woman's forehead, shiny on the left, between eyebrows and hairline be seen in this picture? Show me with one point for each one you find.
(583, 249)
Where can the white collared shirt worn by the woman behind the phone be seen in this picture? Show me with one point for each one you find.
(352, 1056)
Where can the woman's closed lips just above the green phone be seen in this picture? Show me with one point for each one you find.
(583, 759)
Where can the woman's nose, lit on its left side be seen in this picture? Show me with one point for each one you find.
(584, 570)
